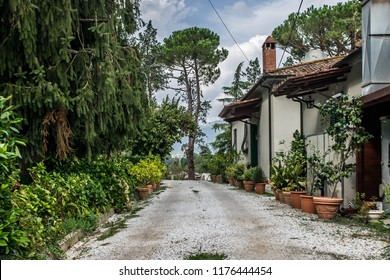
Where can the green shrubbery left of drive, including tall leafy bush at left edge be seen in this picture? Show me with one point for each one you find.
(35, 215)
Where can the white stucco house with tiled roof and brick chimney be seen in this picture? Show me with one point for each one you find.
(286, 99)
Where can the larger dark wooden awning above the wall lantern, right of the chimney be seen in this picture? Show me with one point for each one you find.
(311, 83)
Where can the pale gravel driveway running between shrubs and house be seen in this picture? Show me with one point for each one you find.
(197, 216)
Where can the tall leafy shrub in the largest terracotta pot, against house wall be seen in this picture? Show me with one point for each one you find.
(347, 135)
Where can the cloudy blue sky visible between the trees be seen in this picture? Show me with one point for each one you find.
(249, 21)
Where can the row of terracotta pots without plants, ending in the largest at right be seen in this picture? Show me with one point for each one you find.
(324, 207)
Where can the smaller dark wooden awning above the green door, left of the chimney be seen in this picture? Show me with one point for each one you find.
(240, 110)
